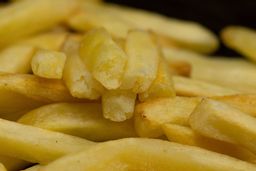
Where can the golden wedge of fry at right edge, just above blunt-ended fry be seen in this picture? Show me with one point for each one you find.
(244, 102)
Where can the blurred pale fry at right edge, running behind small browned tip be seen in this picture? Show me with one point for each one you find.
(237, 74)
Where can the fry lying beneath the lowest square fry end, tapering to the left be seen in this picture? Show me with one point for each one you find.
(79, 119)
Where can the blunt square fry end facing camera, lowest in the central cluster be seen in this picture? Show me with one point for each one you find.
(118, 105)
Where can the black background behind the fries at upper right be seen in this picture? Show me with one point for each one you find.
(214, 14)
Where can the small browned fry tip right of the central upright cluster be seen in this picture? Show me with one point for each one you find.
(180, 67)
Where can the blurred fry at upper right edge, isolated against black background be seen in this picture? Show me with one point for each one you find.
(241, 39)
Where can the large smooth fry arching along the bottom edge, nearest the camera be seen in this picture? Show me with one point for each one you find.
(147, 154)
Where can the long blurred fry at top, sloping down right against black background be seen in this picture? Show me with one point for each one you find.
(123, 19)
